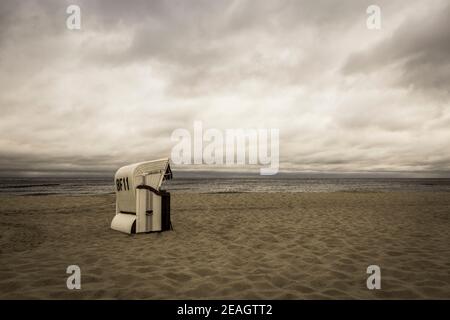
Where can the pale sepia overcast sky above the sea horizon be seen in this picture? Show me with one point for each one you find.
(344, 97)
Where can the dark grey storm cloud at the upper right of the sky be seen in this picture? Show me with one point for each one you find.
(419, 52)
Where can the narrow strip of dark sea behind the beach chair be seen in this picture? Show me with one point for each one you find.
(224, 184)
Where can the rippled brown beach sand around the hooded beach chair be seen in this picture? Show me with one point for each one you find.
(230, 246)
